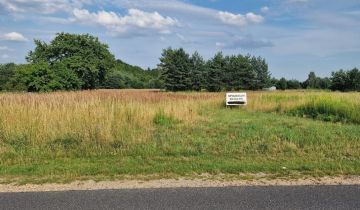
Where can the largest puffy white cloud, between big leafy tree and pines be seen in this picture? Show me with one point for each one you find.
(135, 19)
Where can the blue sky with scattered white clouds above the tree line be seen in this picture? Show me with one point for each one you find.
(294, 36)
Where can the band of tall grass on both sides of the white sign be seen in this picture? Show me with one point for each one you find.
(105, 116)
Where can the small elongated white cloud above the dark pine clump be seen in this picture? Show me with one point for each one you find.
(239, 19)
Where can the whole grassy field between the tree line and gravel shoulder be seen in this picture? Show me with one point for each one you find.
(111, 134)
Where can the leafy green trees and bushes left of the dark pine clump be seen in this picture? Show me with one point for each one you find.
(73, 62)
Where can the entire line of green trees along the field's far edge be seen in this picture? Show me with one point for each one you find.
(75, 62)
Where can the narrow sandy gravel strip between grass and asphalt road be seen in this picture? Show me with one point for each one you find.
(176, 183)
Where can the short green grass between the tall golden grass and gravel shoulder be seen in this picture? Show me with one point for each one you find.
(231, 141)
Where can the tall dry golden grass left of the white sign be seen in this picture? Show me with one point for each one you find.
(93, 116)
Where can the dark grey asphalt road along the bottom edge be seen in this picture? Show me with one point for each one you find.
(300, 197)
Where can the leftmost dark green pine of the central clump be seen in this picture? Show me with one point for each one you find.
(175, 66)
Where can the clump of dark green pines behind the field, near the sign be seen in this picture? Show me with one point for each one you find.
(180, 71)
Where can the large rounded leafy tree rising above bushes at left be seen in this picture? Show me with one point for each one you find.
(83, 54)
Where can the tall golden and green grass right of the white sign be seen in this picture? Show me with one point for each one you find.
(326, 106)
